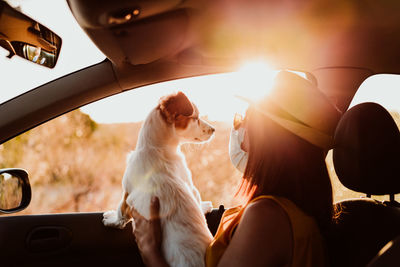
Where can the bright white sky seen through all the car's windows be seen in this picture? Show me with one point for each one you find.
(214, 95)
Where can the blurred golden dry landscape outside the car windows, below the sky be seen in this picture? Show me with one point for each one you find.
(76, 165)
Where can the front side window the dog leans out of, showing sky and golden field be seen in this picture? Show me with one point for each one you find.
(76, 161)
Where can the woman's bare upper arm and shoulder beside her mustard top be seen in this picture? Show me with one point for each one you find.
(262, 238)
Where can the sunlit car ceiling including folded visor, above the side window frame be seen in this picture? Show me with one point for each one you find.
(304, 35)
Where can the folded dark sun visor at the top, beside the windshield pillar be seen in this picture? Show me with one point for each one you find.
(135, 32)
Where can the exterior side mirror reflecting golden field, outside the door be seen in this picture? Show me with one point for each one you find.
(15, 190)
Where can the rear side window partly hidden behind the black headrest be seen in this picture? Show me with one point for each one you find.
(384, 90)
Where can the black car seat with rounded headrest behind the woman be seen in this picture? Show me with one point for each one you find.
(366, 158)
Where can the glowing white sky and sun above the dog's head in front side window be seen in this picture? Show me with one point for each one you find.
(215, 95)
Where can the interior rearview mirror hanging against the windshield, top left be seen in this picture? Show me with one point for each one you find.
(25, 37)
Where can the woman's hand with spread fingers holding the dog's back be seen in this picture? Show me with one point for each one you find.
(148, 234)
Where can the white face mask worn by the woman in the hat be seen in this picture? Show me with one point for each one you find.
(238, 156)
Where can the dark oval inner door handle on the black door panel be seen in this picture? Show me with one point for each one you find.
(48, 238)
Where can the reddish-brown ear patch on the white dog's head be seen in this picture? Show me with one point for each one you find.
(176, 108)
